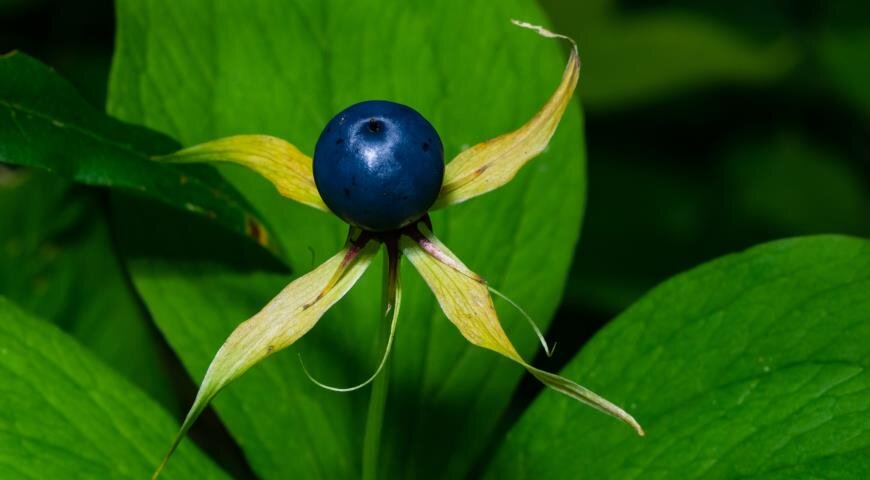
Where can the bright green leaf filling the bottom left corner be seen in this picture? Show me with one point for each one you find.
(63, 414)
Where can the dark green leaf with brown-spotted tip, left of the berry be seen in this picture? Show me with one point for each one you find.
(45, 124)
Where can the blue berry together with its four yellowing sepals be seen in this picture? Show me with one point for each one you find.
(375, 146)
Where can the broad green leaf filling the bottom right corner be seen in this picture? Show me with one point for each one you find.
(754, 365)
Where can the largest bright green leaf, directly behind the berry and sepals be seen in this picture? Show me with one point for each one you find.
(201, 70)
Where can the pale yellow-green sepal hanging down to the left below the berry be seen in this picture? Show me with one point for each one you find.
(294, 311)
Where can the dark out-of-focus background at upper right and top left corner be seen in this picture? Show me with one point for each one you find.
(710, 127)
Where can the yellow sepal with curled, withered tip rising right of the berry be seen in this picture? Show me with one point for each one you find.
(489, 165)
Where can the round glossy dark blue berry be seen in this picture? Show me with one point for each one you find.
(379, 165)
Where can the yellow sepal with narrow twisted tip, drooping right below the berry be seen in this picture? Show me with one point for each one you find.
(465, 300)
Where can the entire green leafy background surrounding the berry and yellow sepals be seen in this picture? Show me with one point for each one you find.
(709, 129)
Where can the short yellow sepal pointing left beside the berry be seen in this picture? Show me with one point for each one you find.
(275, 159)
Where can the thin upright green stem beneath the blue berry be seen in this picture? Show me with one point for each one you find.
(380, 386)
